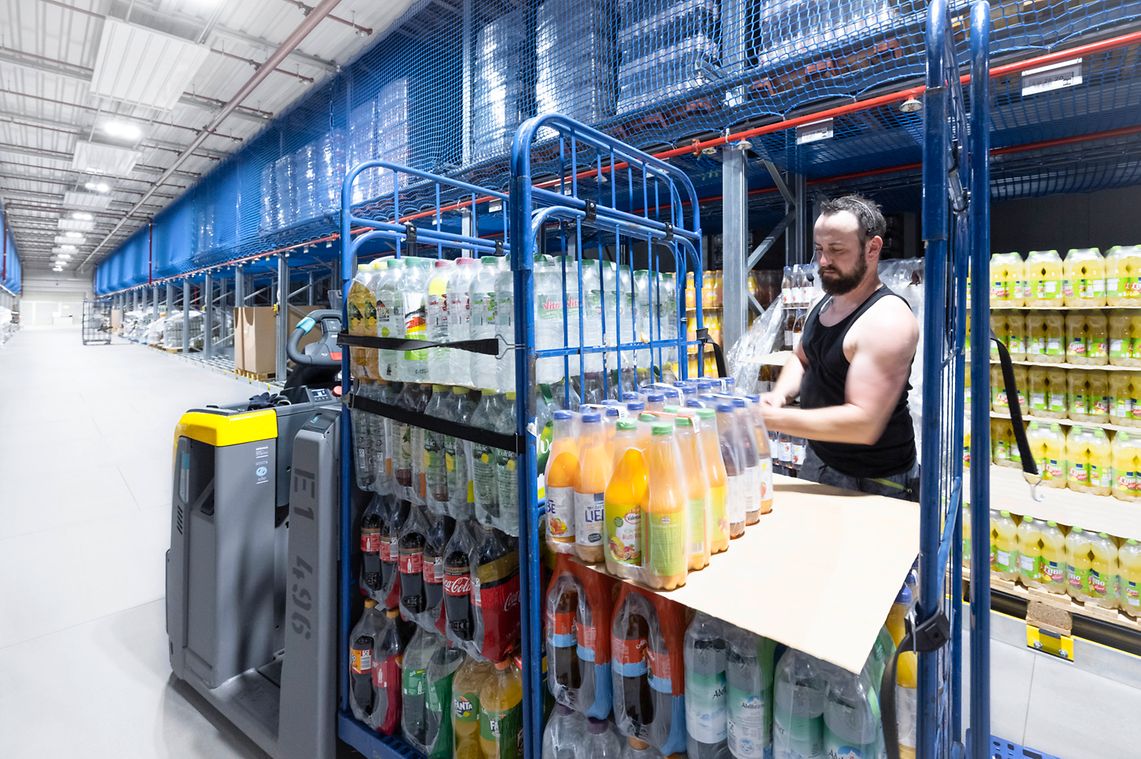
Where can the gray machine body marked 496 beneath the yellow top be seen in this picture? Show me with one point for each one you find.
(252, 595)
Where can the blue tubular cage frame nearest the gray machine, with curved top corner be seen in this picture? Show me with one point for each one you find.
(349, 730)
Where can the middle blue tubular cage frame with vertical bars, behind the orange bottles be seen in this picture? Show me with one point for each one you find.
(532, 206)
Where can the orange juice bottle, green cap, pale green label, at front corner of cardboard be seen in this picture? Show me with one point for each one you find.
(667, 515)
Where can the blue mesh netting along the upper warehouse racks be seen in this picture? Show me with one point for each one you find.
(651, 72)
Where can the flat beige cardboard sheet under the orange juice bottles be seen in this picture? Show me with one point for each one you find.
(820, 574)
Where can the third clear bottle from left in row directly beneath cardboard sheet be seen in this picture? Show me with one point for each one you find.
(798, 713)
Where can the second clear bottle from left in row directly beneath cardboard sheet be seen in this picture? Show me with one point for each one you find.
(749, 664)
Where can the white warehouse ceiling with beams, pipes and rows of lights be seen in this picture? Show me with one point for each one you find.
(111, 109)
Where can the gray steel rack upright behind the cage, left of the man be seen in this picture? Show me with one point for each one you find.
(734, 244)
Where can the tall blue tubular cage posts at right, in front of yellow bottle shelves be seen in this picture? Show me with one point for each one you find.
(956, 231)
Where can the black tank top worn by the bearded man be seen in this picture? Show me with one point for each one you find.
(824, 386)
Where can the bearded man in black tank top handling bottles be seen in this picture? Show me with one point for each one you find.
(852, 366)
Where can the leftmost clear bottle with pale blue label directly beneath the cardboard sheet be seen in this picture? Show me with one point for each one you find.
(707, 708)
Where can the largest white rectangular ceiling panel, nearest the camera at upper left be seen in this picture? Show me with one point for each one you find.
(144, 67)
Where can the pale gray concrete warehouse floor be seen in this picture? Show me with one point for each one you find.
(85, 463)
